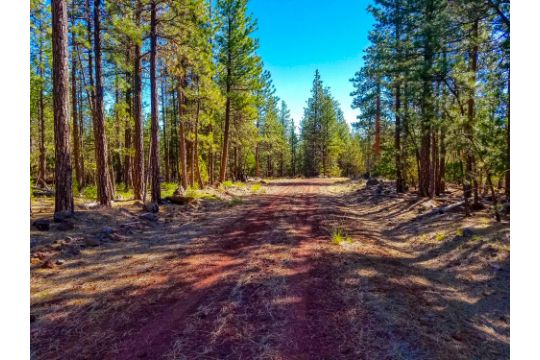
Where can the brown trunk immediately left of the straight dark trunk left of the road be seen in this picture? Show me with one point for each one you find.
(138, 165)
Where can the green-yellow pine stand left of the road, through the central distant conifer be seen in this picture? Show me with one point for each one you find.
(212, 114)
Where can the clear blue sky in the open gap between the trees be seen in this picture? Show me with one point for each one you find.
(298, 36)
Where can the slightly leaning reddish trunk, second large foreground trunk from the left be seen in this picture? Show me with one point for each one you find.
(104, 189)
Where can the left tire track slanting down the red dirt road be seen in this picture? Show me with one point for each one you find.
(156, 338)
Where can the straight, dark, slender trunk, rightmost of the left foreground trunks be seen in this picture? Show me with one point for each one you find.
(154, 154)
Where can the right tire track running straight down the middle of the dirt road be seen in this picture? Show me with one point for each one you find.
(312, 328)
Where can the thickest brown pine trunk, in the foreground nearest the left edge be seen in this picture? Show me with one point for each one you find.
(63, 194)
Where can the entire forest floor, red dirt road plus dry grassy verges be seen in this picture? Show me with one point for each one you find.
(292, 269)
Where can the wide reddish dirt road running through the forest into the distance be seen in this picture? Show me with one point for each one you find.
(263, 281)
